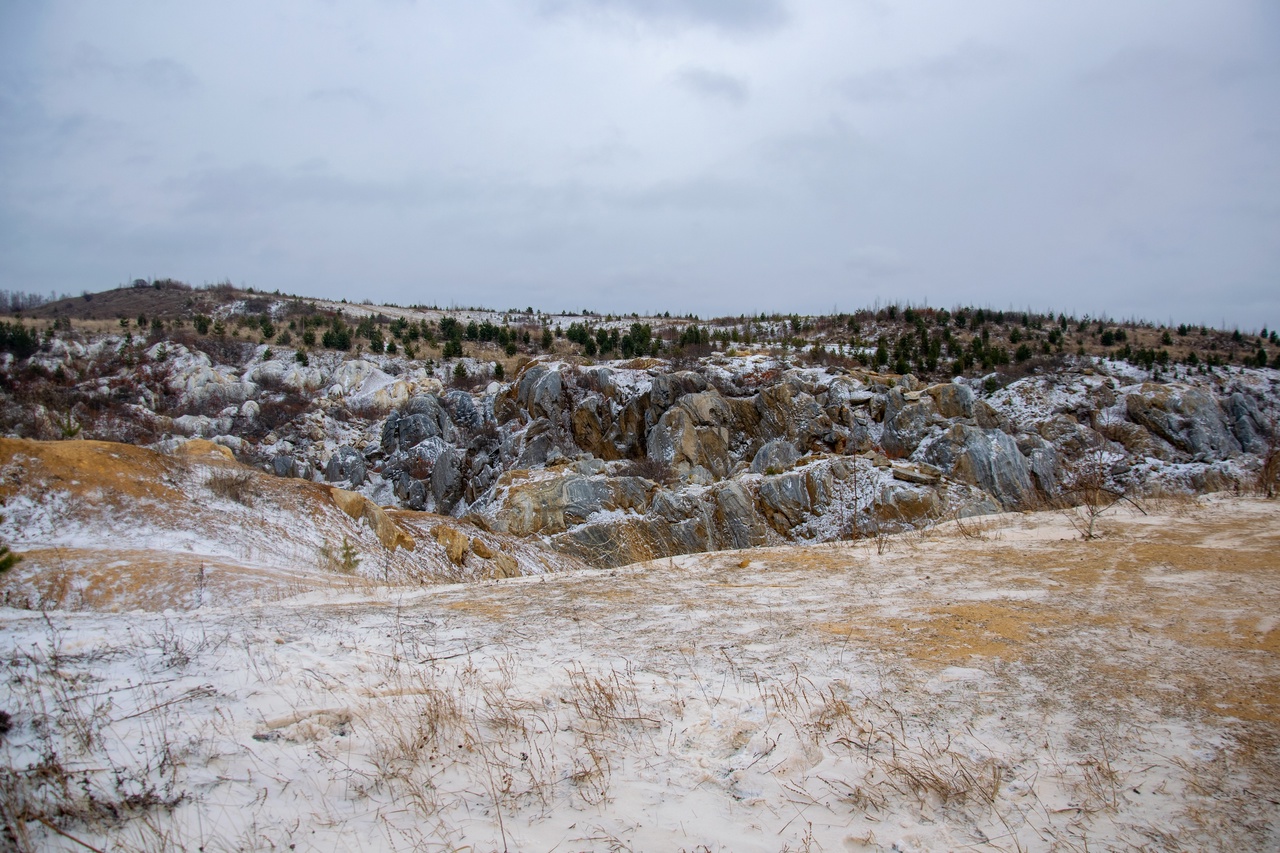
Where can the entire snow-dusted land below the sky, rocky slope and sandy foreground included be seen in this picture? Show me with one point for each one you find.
(310, 576)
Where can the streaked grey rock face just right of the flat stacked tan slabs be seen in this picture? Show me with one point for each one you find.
(986, 458)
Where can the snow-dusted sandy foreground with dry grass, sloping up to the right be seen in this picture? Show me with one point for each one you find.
(1002, 686)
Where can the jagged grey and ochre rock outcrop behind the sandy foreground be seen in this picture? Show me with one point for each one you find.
(806, 455)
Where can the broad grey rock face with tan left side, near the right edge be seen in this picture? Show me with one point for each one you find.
(1187, 418)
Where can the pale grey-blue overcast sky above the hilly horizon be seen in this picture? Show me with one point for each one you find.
(711, 157)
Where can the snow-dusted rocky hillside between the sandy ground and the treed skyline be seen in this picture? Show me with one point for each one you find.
(660, 446)
